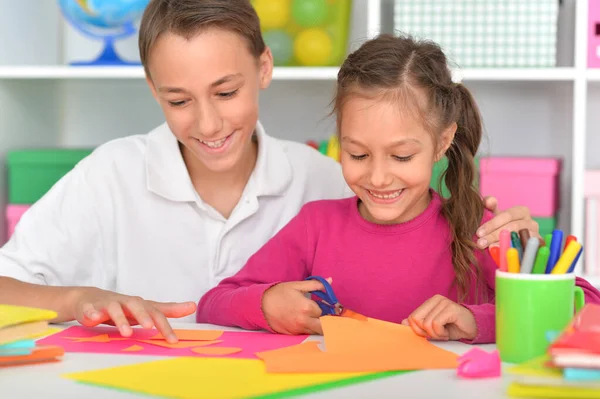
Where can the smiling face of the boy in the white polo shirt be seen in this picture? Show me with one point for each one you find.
(208, 89)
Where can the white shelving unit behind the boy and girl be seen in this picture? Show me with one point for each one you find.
(44, 102)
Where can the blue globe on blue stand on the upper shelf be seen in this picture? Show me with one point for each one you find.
(108, 20)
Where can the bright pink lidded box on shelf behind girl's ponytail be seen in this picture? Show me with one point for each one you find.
(532, 182)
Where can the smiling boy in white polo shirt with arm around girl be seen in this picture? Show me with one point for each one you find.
(149, 222)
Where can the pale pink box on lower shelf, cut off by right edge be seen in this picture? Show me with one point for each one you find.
(592, 222)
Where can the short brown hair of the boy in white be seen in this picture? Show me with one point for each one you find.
(187, 18)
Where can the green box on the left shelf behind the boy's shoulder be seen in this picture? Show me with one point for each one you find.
(31, 173)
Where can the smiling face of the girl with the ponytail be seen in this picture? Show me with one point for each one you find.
(387, 159)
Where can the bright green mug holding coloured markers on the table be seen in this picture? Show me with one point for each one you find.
(530, 305)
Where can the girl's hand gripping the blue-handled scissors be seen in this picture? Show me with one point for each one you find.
(289, 311)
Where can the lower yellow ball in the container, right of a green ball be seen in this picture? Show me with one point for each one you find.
(313, 47)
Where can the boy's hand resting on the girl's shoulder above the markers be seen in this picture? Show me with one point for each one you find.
(514, 219)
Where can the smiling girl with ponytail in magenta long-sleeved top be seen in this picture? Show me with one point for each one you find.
(396, 251)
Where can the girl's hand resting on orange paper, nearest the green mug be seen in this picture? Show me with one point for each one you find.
(442, 319)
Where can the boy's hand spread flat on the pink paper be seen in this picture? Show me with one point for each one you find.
(94, 306)
